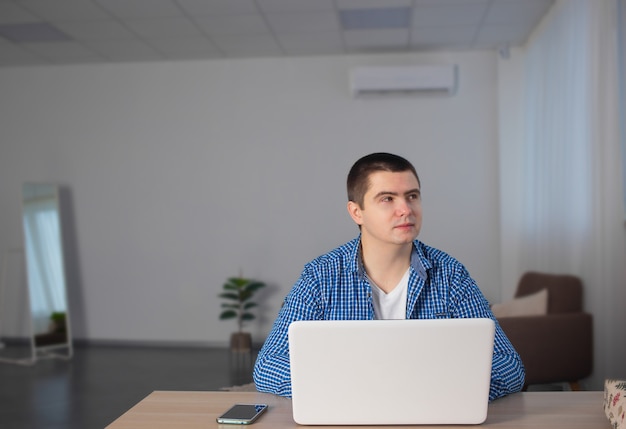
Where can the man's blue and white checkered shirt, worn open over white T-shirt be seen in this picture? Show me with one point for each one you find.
(335, 287)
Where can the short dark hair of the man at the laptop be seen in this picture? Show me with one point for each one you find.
(358, 177)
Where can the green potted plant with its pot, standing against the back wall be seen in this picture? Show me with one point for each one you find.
(238, 292)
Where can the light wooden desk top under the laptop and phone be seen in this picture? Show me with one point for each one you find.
(187, 410)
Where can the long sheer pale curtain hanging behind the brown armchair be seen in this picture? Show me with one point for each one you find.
(568, 192)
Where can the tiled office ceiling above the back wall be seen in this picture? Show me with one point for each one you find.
(39, 32)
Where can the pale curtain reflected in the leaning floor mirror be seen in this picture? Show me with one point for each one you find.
(45, 261)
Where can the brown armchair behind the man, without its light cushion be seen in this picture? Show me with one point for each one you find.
(558, 346)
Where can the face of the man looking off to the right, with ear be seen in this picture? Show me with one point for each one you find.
(392, 208)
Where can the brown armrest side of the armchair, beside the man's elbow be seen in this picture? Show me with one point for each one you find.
(553, 348)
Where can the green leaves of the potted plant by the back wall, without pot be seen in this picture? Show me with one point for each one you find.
(238, 292)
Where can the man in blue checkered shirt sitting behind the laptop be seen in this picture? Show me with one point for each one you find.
(385, 273)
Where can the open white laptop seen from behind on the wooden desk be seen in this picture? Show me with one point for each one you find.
(391, 372)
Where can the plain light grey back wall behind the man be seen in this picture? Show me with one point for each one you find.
(183, 174)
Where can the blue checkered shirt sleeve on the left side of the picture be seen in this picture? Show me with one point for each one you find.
(272, 372)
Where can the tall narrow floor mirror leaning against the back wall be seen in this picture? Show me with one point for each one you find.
(45, 272)
